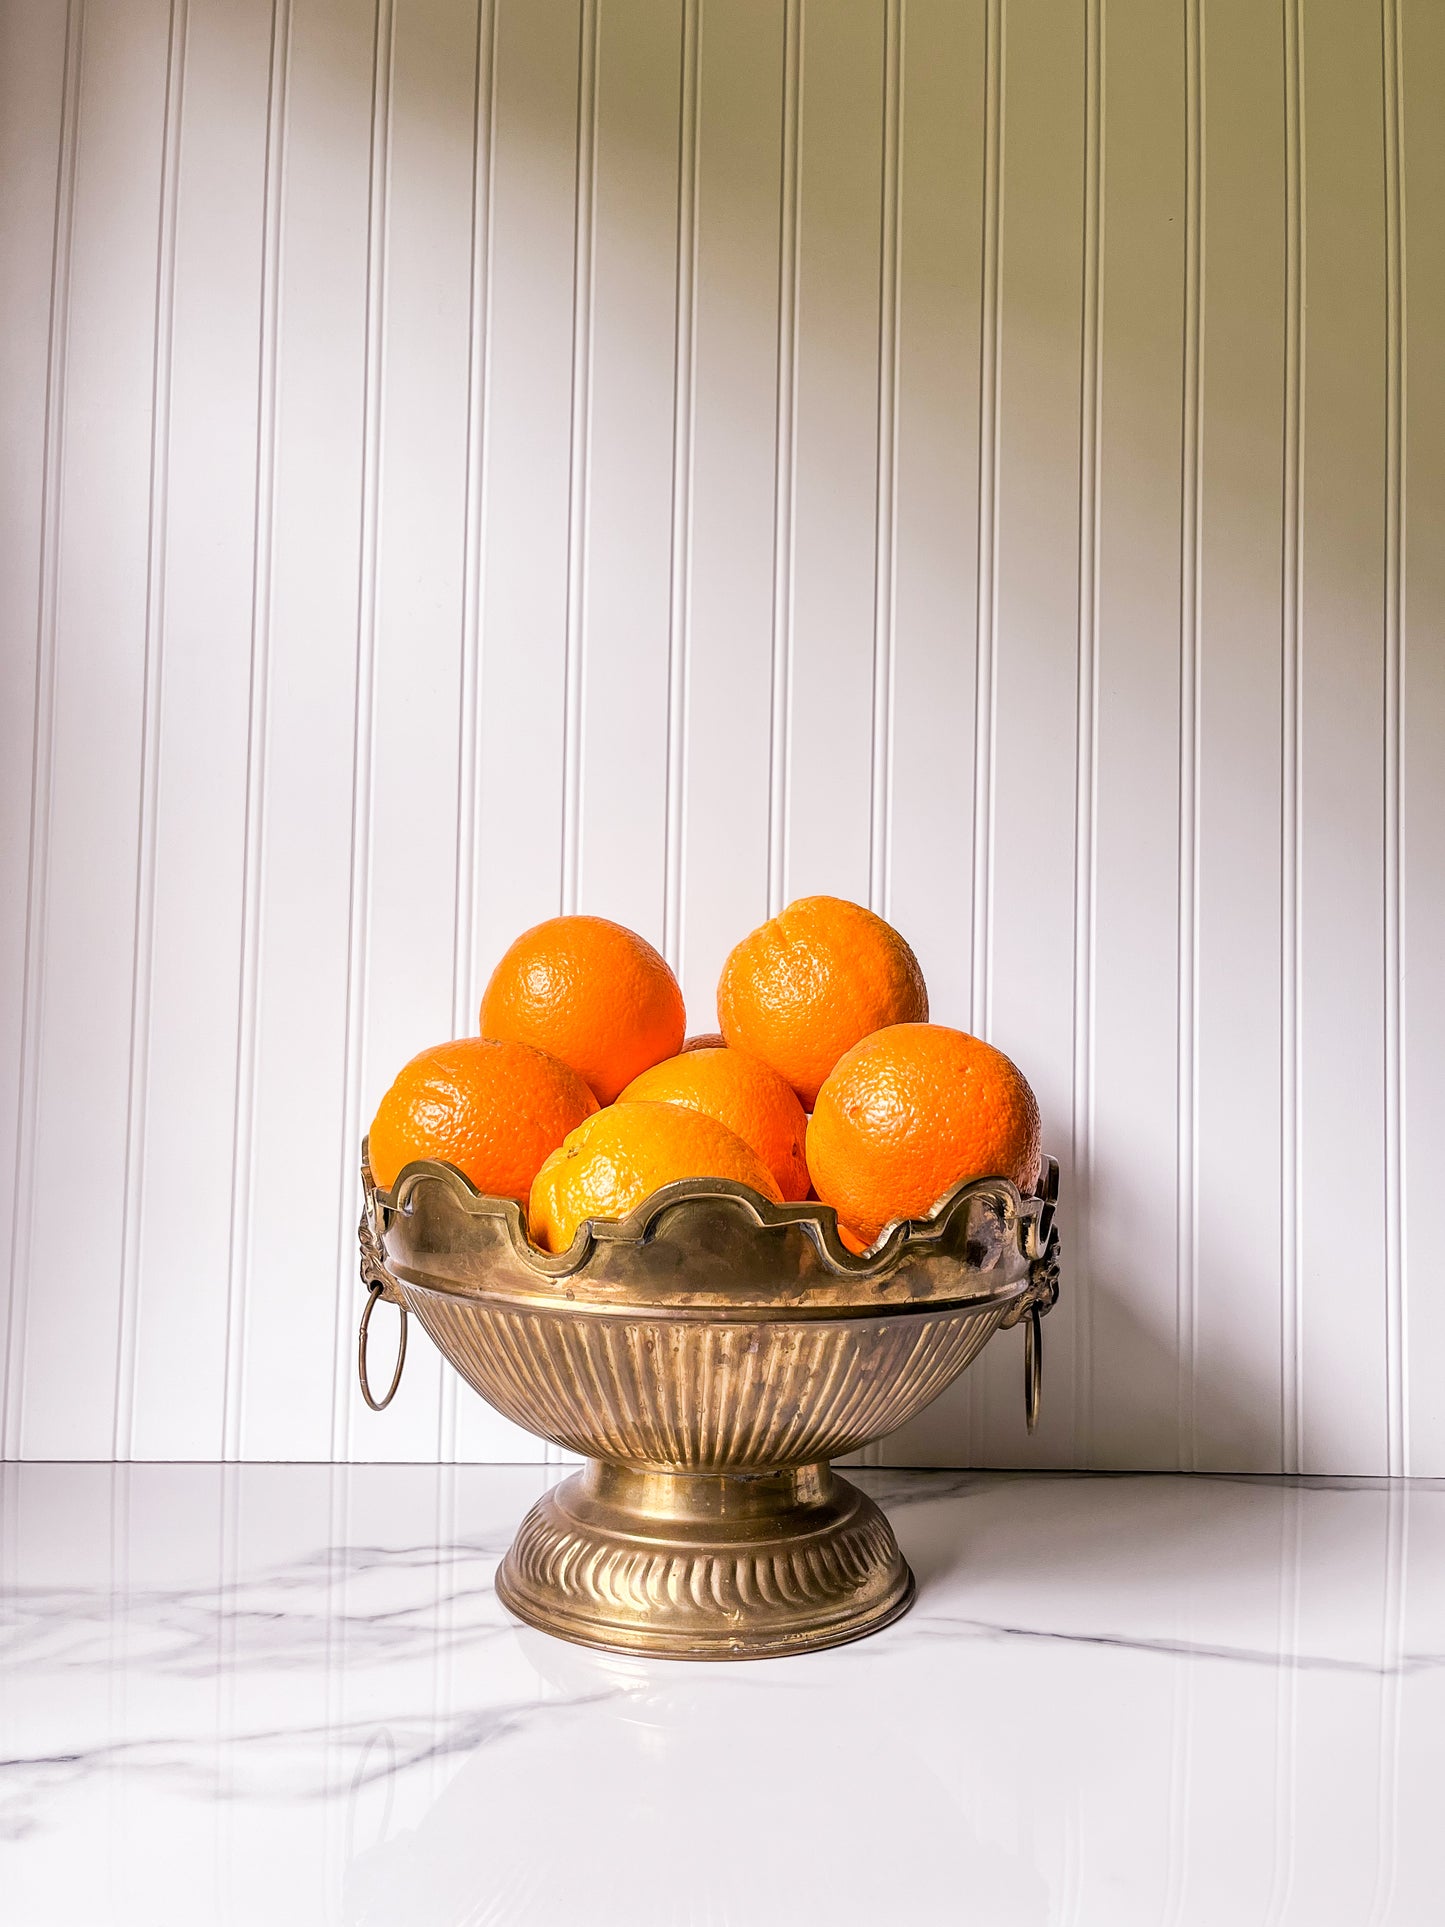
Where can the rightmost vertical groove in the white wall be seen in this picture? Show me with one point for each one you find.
(1396, 1282)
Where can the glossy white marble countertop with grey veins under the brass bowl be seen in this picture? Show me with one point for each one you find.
(288, 1695)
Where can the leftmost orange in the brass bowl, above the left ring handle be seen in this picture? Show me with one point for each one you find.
(490, 1109)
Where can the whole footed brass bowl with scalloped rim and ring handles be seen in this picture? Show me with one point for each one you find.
(708, 1356)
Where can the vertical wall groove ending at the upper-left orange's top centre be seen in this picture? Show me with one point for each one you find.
(579, 460)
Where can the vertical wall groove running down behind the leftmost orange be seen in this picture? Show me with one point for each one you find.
(465, 990)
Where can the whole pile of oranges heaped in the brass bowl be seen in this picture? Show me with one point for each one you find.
(826, 1078)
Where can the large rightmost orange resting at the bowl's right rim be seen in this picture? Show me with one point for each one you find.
(912, 1113)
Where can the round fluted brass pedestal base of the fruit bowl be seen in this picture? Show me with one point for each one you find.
(706, 1566)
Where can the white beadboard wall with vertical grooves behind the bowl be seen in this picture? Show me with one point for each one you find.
(658, 458)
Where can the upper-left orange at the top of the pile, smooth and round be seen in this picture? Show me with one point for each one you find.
(592, 993)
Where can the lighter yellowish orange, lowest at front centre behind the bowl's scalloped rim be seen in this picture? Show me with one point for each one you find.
(617, 1159)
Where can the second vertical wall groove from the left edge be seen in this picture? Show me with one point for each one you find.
(138, 1078)
